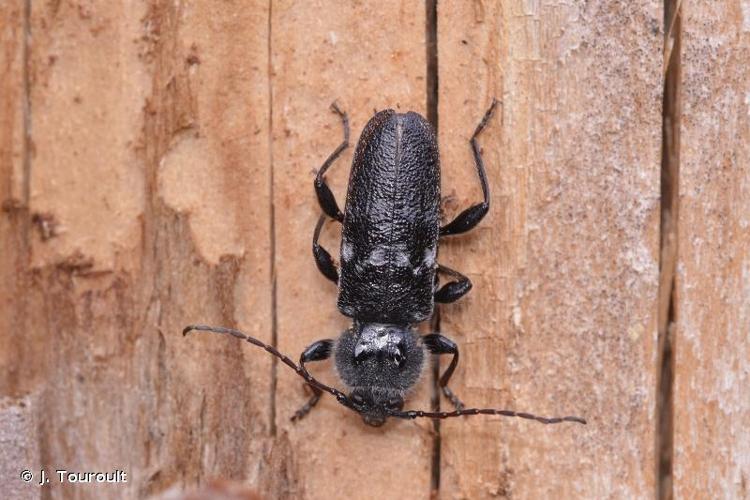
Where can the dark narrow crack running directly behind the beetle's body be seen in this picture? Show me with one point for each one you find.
(432, 116)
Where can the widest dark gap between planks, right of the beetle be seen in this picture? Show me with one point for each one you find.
(668, 248)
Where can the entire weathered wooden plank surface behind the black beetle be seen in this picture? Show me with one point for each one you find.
(156, 168)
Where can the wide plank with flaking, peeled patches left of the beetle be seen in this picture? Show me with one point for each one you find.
(150, 133)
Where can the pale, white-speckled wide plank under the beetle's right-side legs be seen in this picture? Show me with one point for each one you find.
(562, 316)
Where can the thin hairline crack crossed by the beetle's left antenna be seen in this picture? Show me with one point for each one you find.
(272, 229)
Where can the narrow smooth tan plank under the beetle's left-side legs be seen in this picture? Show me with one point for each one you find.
(321, 52)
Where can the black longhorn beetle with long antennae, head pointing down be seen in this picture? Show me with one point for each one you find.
(388, 275)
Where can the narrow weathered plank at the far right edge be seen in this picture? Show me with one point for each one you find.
(712, 354)
